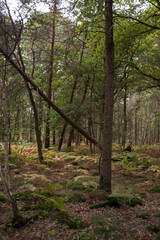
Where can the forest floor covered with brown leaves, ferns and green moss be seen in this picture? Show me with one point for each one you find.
(58, 198)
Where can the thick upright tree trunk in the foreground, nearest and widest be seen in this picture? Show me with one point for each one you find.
(105, 167)
